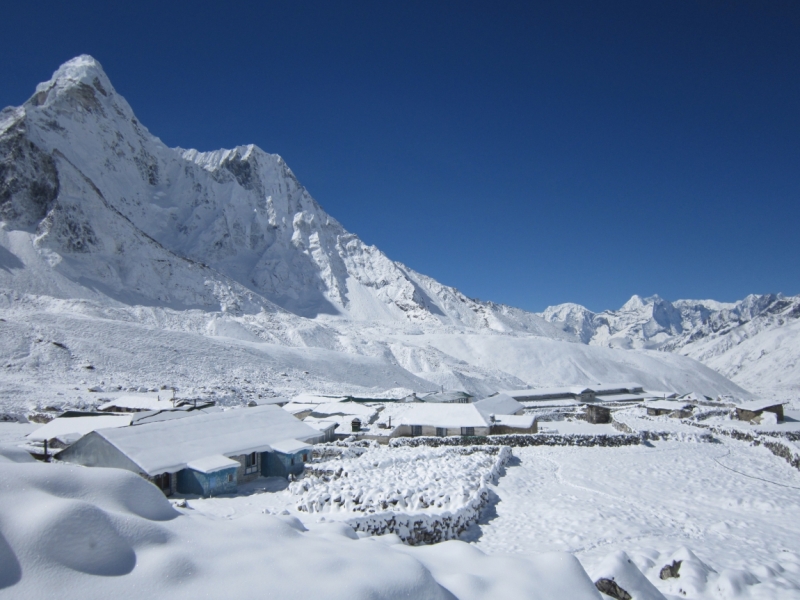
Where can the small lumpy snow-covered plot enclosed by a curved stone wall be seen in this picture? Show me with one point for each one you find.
(422, 495)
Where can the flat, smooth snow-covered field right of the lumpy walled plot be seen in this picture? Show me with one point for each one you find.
(657, 502)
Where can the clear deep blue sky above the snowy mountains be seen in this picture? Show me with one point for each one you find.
(530, 153)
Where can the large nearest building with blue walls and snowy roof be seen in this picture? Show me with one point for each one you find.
(208, 454)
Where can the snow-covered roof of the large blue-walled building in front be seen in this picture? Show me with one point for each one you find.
(171, 445)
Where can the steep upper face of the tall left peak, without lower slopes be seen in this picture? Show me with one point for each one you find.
(240, 212)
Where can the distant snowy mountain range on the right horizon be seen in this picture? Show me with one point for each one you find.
(755, 342)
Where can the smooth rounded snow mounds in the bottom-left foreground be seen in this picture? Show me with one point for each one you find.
(74, 532)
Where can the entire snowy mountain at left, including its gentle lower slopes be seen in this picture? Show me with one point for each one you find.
(218, 271)
